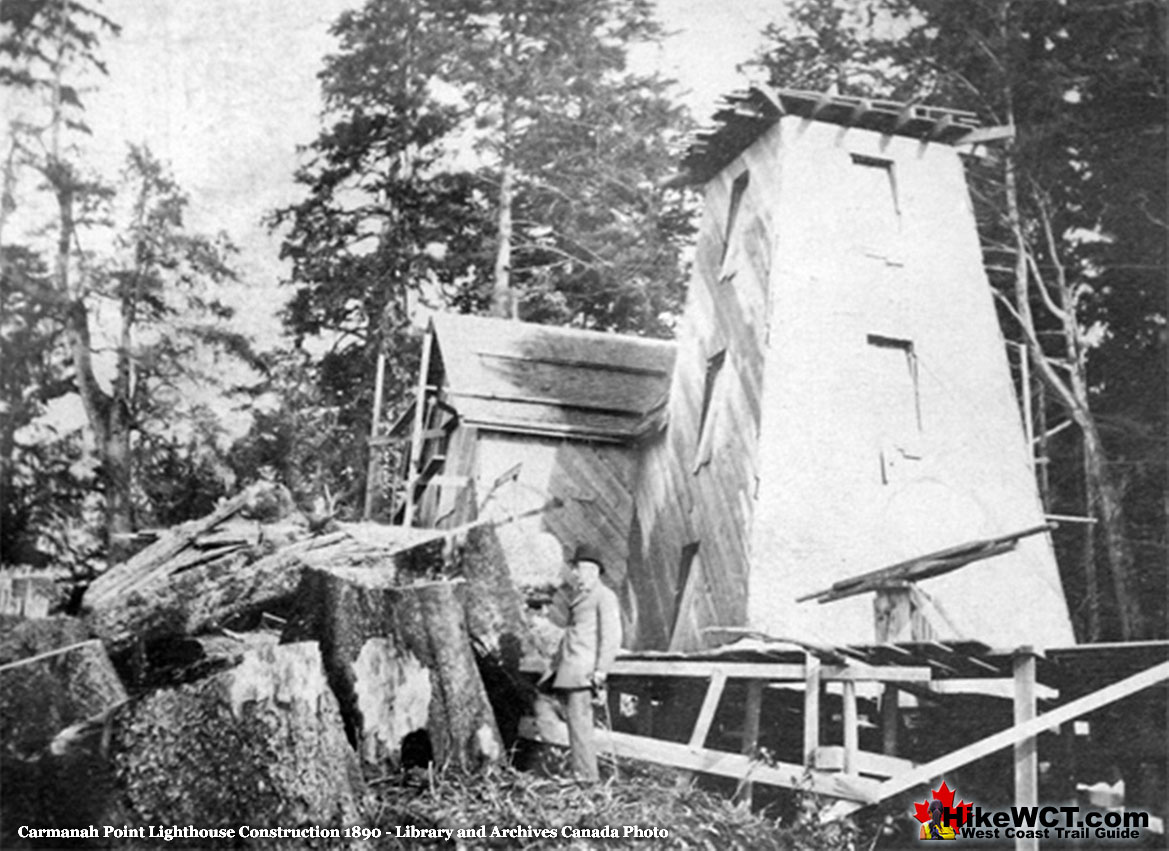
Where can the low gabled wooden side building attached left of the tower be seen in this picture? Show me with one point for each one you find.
(517, 418)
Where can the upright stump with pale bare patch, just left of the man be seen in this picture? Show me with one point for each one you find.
(400, 662)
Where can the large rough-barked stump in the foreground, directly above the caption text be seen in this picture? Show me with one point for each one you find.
(260, 745)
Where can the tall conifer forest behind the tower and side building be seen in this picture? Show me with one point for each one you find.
(510, 157)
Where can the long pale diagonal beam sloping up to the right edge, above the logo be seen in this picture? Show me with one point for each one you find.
(1007, 738)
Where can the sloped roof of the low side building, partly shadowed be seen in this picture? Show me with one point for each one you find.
(538, 379)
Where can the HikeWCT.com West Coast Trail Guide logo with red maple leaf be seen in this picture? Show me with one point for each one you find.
(942, 820)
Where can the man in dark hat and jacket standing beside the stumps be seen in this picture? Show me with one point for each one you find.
(589, 612)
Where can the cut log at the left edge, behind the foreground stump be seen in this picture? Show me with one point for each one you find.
(41, 695)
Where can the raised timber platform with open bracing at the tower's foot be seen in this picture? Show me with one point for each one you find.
(1103, 675)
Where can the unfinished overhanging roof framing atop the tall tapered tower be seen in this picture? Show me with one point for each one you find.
(746, 115)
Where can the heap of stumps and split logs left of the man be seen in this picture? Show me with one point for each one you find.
(251, 668)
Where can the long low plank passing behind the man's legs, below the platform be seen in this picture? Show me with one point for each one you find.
(720, 763)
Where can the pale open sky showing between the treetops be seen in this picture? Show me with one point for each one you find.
(226, 92)
